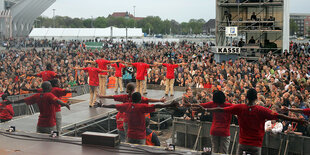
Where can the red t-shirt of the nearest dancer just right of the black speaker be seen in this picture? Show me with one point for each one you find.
(136, 118)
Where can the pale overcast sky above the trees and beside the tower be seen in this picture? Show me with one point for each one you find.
(180, 10)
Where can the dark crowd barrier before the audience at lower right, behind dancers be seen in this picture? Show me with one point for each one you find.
(185, 135)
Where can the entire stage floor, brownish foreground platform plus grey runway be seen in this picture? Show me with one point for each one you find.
(25, 141)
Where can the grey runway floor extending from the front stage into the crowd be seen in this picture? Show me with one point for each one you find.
(80, 112)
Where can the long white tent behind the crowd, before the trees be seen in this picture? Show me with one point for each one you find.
(85, 33)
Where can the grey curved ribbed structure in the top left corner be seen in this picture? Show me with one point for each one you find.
(17, 16)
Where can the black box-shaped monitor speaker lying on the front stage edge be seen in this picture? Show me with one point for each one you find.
(103, 139)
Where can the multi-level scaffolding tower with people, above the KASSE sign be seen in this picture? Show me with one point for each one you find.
(264, 22)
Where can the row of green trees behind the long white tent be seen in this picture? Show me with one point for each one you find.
(149, 25)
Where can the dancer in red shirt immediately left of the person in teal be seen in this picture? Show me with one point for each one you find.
(119, 76)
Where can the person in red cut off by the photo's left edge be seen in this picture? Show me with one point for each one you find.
(6, 111)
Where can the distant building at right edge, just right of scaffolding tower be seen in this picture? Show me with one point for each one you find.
(302, 21)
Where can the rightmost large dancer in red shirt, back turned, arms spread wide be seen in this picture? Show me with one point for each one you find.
(251, 118)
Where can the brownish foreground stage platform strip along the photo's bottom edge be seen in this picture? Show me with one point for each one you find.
(40, 144)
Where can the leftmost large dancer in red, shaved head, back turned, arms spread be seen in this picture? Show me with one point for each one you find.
(46, 102)
